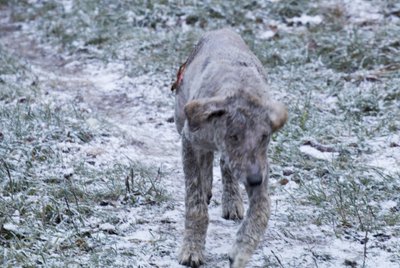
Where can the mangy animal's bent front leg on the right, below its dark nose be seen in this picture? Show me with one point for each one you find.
(253, 227)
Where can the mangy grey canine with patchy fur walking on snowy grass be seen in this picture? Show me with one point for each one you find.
(222, 105)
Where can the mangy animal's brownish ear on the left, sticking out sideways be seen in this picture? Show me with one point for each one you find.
(198, 112)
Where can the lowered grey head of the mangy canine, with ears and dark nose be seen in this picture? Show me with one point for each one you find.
(241, 127)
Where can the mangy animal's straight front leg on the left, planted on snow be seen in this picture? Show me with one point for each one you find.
(197, 166)
